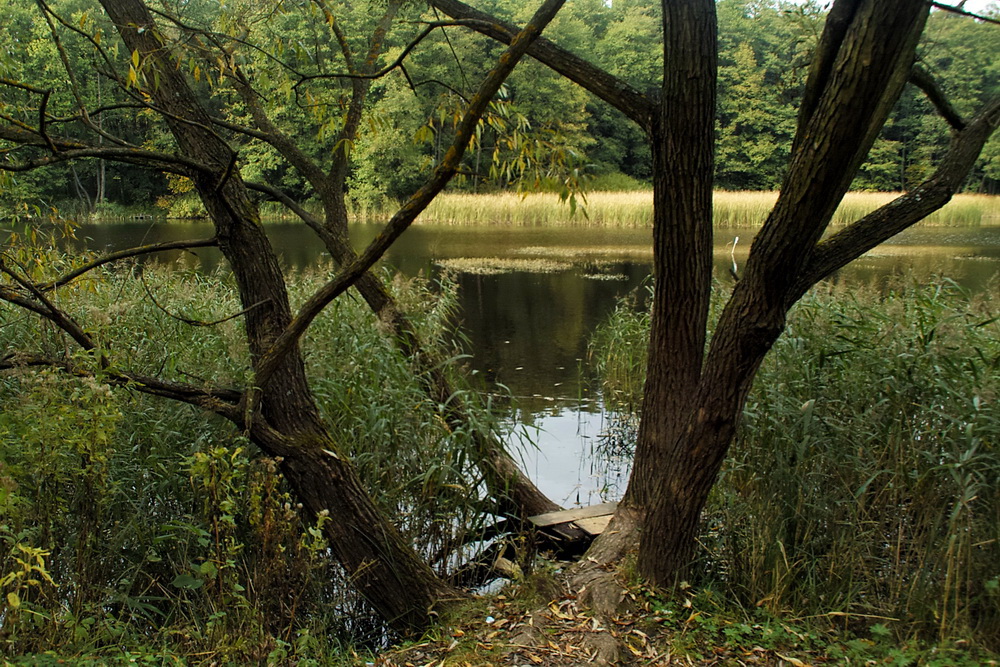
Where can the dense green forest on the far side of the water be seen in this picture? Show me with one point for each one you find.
(543, 131)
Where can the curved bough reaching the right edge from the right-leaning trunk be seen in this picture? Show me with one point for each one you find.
(887, 221)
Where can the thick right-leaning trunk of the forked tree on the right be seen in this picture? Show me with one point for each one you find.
(864, 59)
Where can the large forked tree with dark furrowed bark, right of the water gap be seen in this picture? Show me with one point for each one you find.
(695, 386)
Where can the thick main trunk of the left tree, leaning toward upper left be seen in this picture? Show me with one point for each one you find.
(281, 416)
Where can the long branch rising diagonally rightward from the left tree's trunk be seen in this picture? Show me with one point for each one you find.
(417, 202)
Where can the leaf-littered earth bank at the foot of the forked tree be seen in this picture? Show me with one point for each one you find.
(534, 622)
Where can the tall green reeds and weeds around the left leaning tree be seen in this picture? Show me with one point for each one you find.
(132, 526)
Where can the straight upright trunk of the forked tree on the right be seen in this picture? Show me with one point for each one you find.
(682, 143)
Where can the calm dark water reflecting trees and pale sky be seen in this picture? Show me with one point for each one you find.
(528, 331)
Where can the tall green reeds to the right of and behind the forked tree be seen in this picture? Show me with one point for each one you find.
(862, 486)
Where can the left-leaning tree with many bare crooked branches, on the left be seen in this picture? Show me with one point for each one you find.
(275, 410)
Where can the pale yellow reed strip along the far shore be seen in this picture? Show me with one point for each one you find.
(634, 209)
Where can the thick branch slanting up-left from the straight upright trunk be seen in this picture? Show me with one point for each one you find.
(612, 90)
